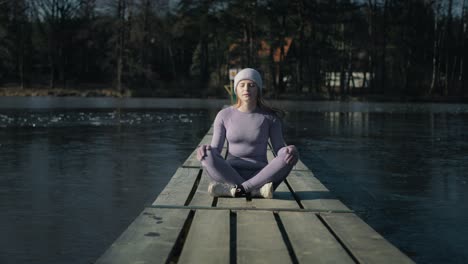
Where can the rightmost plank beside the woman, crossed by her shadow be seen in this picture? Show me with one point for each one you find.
(311, 193)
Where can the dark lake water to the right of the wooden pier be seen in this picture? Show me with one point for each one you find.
(406, 174)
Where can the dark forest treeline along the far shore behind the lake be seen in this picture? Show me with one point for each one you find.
(306, 48)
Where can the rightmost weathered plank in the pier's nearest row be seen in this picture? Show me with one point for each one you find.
(366, 245)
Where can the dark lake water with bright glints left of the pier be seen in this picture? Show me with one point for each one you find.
(72, 181)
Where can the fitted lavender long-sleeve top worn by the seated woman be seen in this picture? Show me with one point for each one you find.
(247, 134)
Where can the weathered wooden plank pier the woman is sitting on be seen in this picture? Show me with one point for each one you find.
(303, 223)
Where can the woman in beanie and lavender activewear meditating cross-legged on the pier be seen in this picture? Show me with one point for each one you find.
(247, 126)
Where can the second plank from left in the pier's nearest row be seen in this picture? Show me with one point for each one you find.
(208, 238)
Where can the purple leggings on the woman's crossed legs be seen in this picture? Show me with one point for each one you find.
(250, 175)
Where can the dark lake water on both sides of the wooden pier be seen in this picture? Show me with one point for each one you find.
(75, 172)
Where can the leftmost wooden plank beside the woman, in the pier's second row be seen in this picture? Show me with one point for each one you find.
(178, 189)
